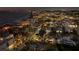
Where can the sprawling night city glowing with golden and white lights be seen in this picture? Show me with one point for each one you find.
(42, 30)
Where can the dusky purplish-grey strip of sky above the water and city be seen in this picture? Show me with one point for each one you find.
(36, 8)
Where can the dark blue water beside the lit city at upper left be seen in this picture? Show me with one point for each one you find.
(12, 17)
